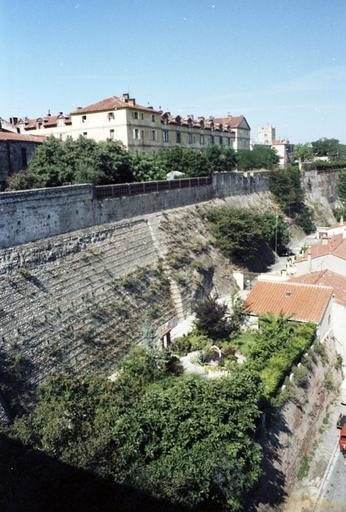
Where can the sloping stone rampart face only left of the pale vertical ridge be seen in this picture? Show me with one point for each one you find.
(79, 301)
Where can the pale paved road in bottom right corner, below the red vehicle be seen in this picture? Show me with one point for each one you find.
(333, 496)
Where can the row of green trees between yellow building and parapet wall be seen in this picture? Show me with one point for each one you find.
(83, 160)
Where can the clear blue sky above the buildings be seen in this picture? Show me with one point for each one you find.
(274, 61)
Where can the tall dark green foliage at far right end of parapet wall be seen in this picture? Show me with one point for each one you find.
(285, 185)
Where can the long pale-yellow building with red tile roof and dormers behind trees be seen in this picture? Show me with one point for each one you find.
(141, 127)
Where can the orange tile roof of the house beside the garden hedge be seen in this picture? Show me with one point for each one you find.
(301, 302)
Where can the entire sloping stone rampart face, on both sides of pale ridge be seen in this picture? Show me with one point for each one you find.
(79, 301)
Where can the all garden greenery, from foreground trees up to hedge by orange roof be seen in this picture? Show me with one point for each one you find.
(182, 439)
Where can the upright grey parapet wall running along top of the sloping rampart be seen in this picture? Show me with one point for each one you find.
(36, 214)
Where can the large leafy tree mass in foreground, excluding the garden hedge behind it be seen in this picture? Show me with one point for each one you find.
(184, 439)
